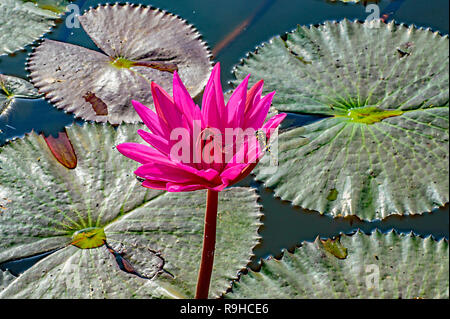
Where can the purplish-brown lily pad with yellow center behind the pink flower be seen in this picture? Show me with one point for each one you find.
(139, 44)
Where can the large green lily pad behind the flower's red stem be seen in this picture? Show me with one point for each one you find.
(136, 242)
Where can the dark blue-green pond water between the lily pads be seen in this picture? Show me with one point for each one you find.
(284, 225)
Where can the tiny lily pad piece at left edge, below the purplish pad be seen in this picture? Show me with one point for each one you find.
(12, 87)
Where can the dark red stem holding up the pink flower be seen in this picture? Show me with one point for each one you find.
(209, 243)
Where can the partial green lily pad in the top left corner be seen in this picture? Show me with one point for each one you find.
(23, 22)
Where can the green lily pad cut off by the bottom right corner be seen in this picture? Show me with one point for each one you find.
(377, 266)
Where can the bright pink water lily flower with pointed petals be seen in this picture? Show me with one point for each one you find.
(209, 148)
